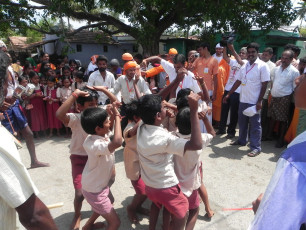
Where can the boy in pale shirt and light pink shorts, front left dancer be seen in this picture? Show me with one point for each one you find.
(99, 167)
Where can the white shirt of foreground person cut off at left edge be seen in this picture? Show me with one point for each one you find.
(16, 185)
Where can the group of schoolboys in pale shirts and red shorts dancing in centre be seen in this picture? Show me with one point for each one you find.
(163, 166)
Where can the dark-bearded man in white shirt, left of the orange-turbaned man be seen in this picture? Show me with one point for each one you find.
(102, 77)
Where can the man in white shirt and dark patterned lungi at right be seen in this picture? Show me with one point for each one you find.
(282, 89)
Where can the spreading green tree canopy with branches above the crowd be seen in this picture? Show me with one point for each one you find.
(146, 20)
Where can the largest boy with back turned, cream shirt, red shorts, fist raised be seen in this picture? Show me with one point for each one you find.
(156, 147)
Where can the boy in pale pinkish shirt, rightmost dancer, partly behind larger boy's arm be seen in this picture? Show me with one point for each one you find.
(187, 167)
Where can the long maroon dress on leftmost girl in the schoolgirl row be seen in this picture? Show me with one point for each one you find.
(38, 113)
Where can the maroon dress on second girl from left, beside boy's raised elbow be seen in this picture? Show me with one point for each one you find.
(52, 107)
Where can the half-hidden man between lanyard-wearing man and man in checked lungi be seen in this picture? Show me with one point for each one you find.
(267, 54)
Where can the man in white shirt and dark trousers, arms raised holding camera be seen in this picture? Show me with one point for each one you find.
(232, 104)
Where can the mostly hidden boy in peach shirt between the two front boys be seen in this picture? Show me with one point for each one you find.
(131, 162)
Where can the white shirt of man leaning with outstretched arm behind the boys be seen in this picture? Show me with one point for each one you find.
(187, 82)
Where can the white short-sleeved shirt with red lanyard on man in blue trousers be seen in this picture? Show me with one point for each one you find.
(251, 77)
